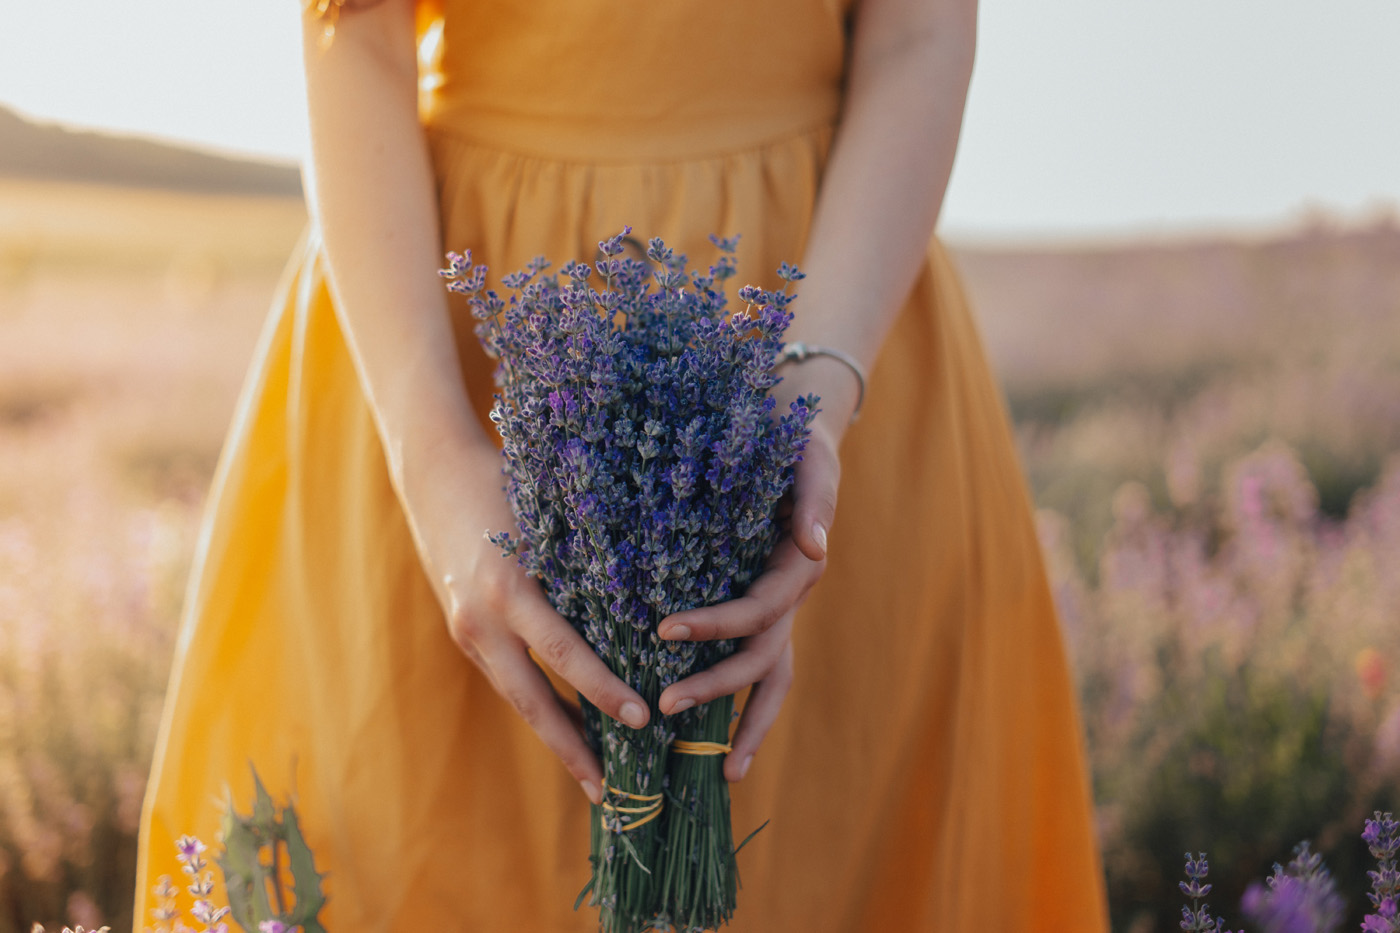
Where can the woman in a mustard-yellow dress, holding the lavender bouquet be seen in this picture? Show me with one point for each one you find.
(927, 768)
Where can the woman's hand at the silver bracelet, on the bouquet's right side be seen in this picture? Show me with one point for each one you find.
(762, 618)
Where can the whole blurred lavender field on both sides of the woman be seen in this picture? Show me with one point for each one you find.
(1212, 431)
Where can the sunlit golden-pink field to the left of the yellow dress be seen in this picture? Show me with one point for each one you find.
(127, 319)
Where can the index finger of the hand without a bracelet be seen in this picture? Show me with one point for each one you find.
(570, 656)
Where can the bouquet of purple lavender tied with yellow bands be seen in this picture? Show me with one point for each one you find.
(645, 467)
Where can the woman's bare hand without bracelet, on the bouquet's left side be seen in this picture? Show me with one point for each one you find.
(498, 614)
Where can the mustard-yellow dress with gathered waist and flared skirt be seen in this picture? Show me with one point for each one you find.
(927, 771)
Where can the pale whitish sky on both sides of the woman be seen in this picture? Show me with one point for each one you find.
(1086, 118)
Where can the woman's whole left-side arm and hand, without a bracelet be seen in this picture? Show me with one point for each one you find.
(374, 197)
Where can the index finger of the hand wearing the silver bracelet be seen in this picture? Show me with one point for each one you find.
(776, 592)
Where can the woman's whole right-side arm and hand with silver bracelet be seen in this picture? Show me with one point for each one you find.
(881, 195)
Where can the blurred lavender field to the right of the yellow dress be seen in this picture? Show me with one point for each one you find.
(1213, 436)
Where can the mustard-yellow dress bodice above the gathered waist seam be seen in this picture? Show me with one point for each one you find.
(631, 81)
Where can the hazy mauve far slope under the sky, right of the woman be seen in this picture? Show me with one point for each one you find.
(1062, 317)
